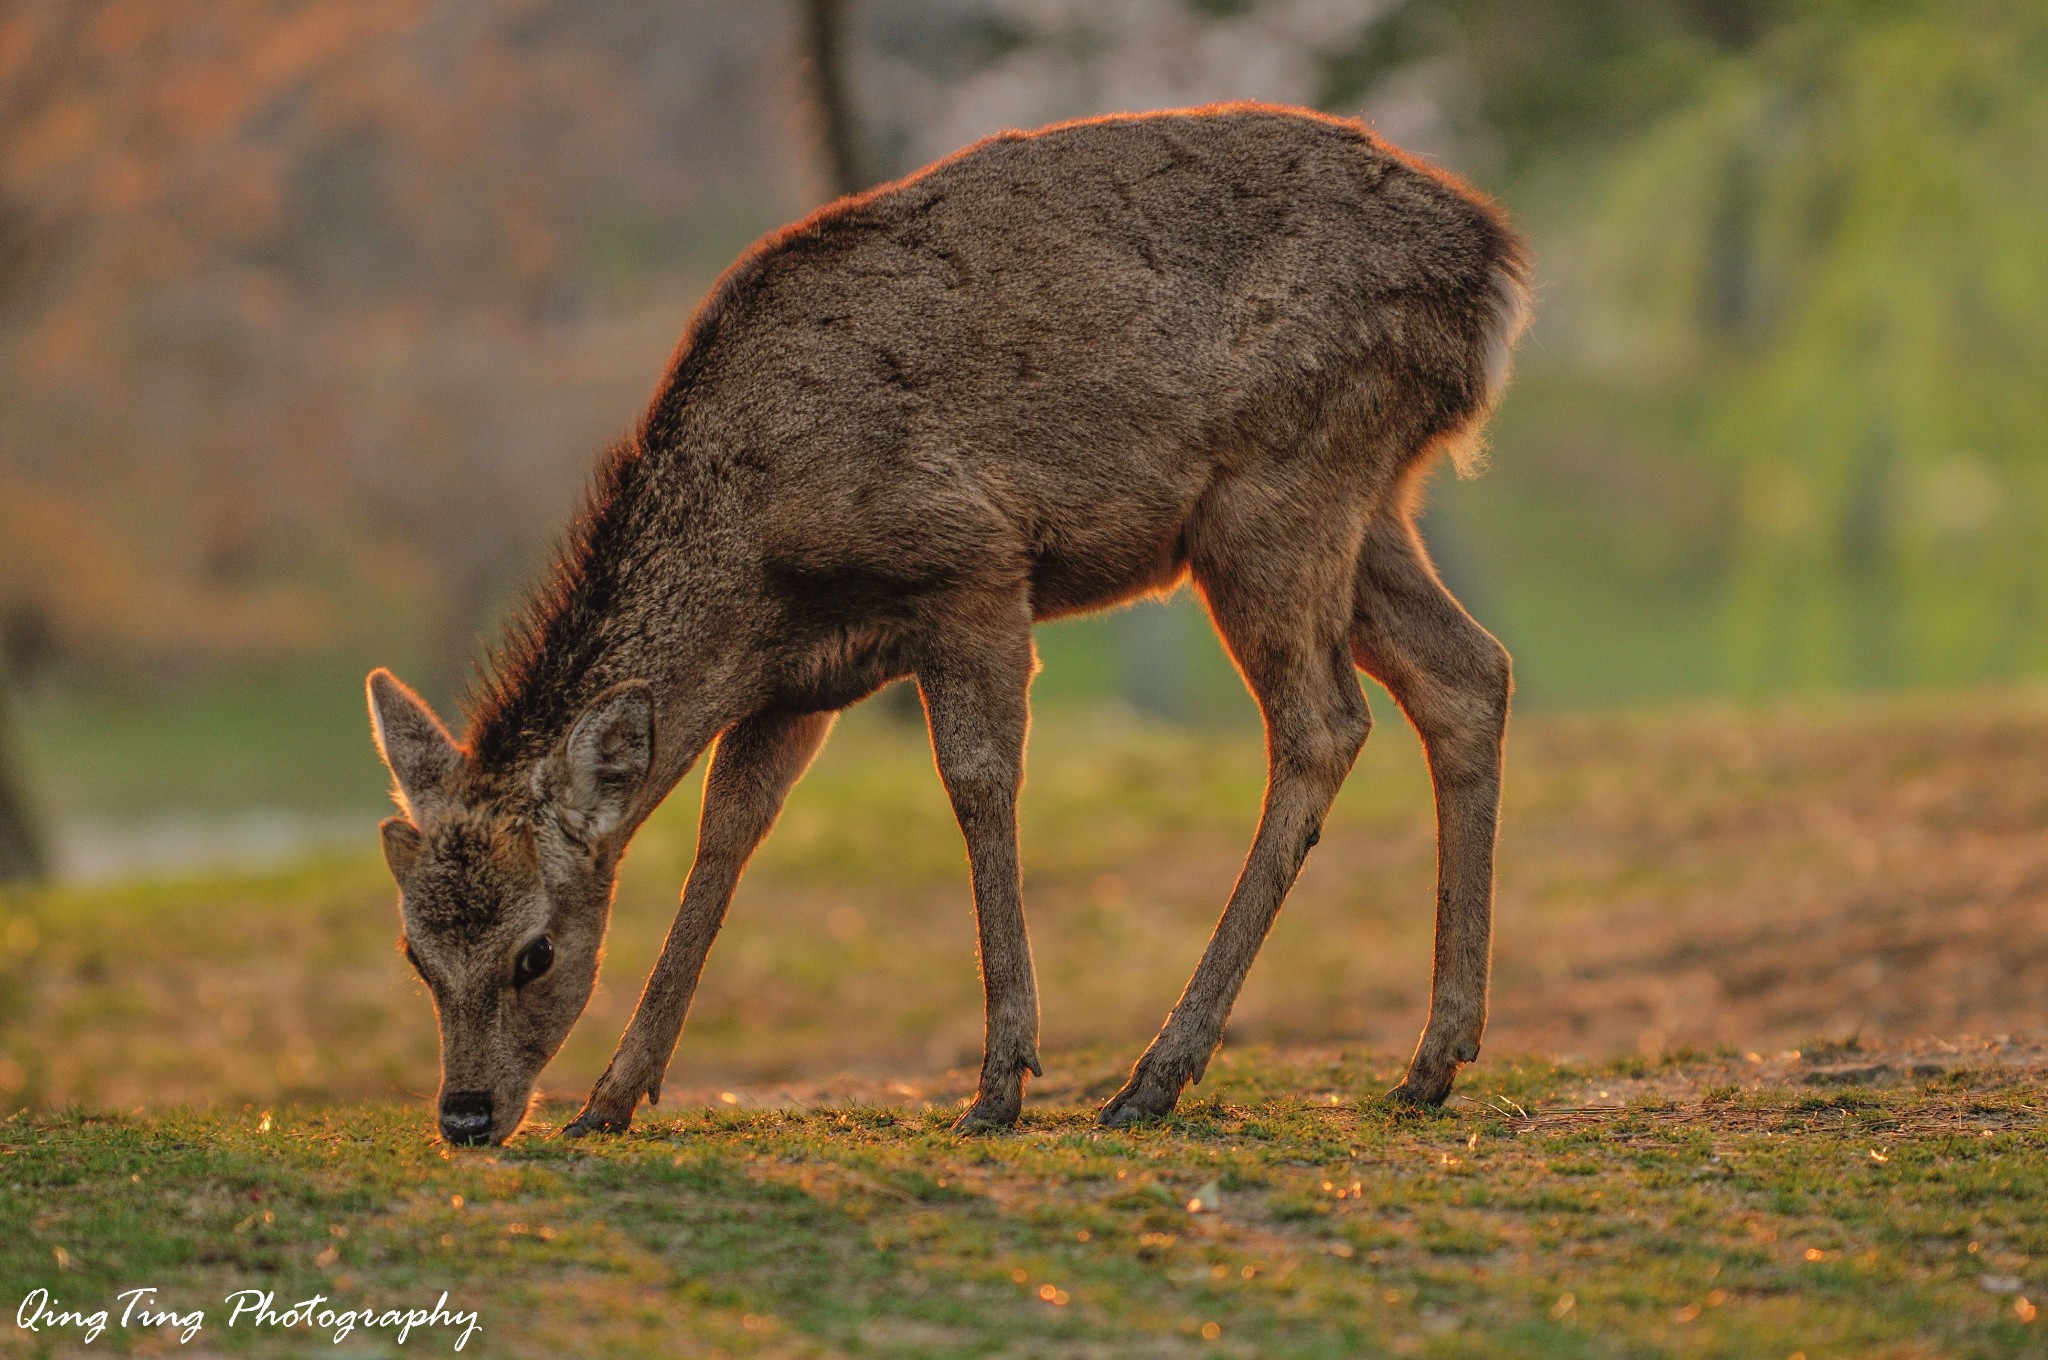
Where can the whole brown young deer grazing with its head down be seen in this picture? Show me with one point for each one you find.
(1052, 374)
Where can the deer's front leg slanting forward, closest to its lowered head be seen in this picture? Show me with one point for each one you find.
(753, 771)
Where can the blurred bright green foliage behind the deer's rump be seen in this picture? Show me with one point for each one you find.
(1781, 421)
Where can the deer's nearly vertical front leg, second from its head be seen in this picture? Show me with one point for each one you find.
(976, 704)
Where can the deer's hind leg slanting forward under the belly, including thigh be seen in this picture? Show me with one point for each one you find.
(1275, 566)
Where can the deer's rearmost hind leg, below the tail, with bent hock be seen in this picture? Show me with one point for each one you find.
(1453, 681)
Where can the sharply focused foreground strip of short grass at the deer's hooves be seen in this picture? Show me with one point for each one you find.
(1701, 1207)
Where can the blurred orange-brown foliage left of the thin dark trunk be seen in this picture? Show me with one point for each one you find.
(314, 314)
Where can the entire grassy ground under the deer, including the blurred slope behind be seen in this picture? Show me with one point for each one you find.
(222, 1082)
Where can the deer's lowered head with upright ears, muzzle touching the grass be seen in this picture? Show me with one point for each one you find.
(505, 888)
